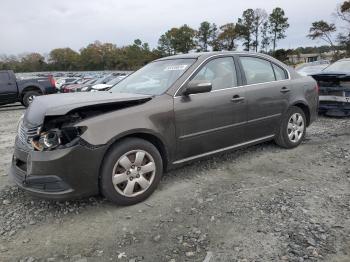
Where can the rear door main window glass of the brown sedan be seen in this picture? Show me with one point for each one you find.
(257, 70)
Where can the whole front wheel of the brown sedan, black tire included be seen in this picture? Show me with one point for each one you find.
(122, 181)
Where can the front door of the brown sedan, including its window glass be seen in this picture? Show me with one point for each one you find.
(215, 120)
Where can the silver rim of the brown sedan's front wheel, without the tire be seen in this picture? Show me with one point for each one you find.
(133, 173)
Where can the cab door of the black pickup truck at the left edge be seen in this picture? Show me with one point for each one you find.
(8, 88)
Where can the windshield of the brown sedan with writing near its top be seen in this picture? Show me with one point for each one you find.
(154, 78)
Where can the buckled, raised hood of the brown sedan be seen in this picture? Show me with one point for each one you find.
(61, 104)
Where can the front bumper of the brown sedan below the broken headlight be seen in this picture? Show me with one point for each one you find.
(59, 174)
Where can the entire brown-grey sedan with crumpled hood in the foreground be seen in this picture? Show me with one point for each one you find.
(170, 112)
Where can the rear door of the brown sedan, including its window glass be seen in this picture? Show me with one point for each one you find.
(267, 90)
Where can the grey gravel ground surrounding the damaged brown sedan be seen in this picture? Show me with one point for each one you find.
(262, 203)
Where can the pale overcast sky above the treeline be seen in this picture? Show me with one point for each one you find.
(41, 25)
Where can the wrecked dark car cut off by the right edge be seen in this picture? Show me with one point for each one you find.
(334, 82)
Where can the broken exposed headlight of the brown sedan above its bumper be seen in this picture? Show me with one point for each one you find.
(57, 138)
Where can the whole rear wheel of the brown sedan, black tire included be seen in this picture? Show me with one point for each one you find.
(293, 122)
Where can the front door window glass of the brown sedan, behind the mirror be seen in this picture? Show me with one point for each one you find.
(221, 72)
